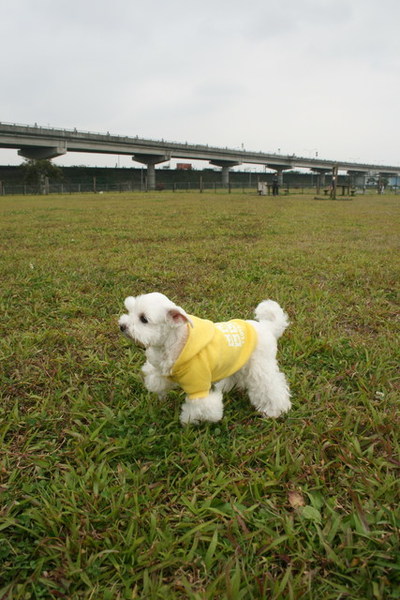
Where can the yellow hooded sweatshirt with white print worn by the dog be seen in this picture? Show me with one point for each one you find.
(212, 352)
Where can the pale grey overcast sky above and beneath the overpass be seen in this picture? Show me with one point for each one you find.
(289, 76)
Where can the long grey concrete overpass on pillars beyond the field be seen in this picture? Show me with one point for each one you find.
(45, 143)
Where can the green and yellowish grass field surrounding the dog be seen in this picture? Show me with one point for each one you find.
(104, 495)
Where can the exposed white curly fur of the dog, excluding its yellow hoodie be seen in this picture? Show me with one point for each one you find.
(156, 323)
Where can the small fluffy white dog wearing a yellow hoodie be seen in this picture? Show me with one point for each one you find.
(193, 353)
